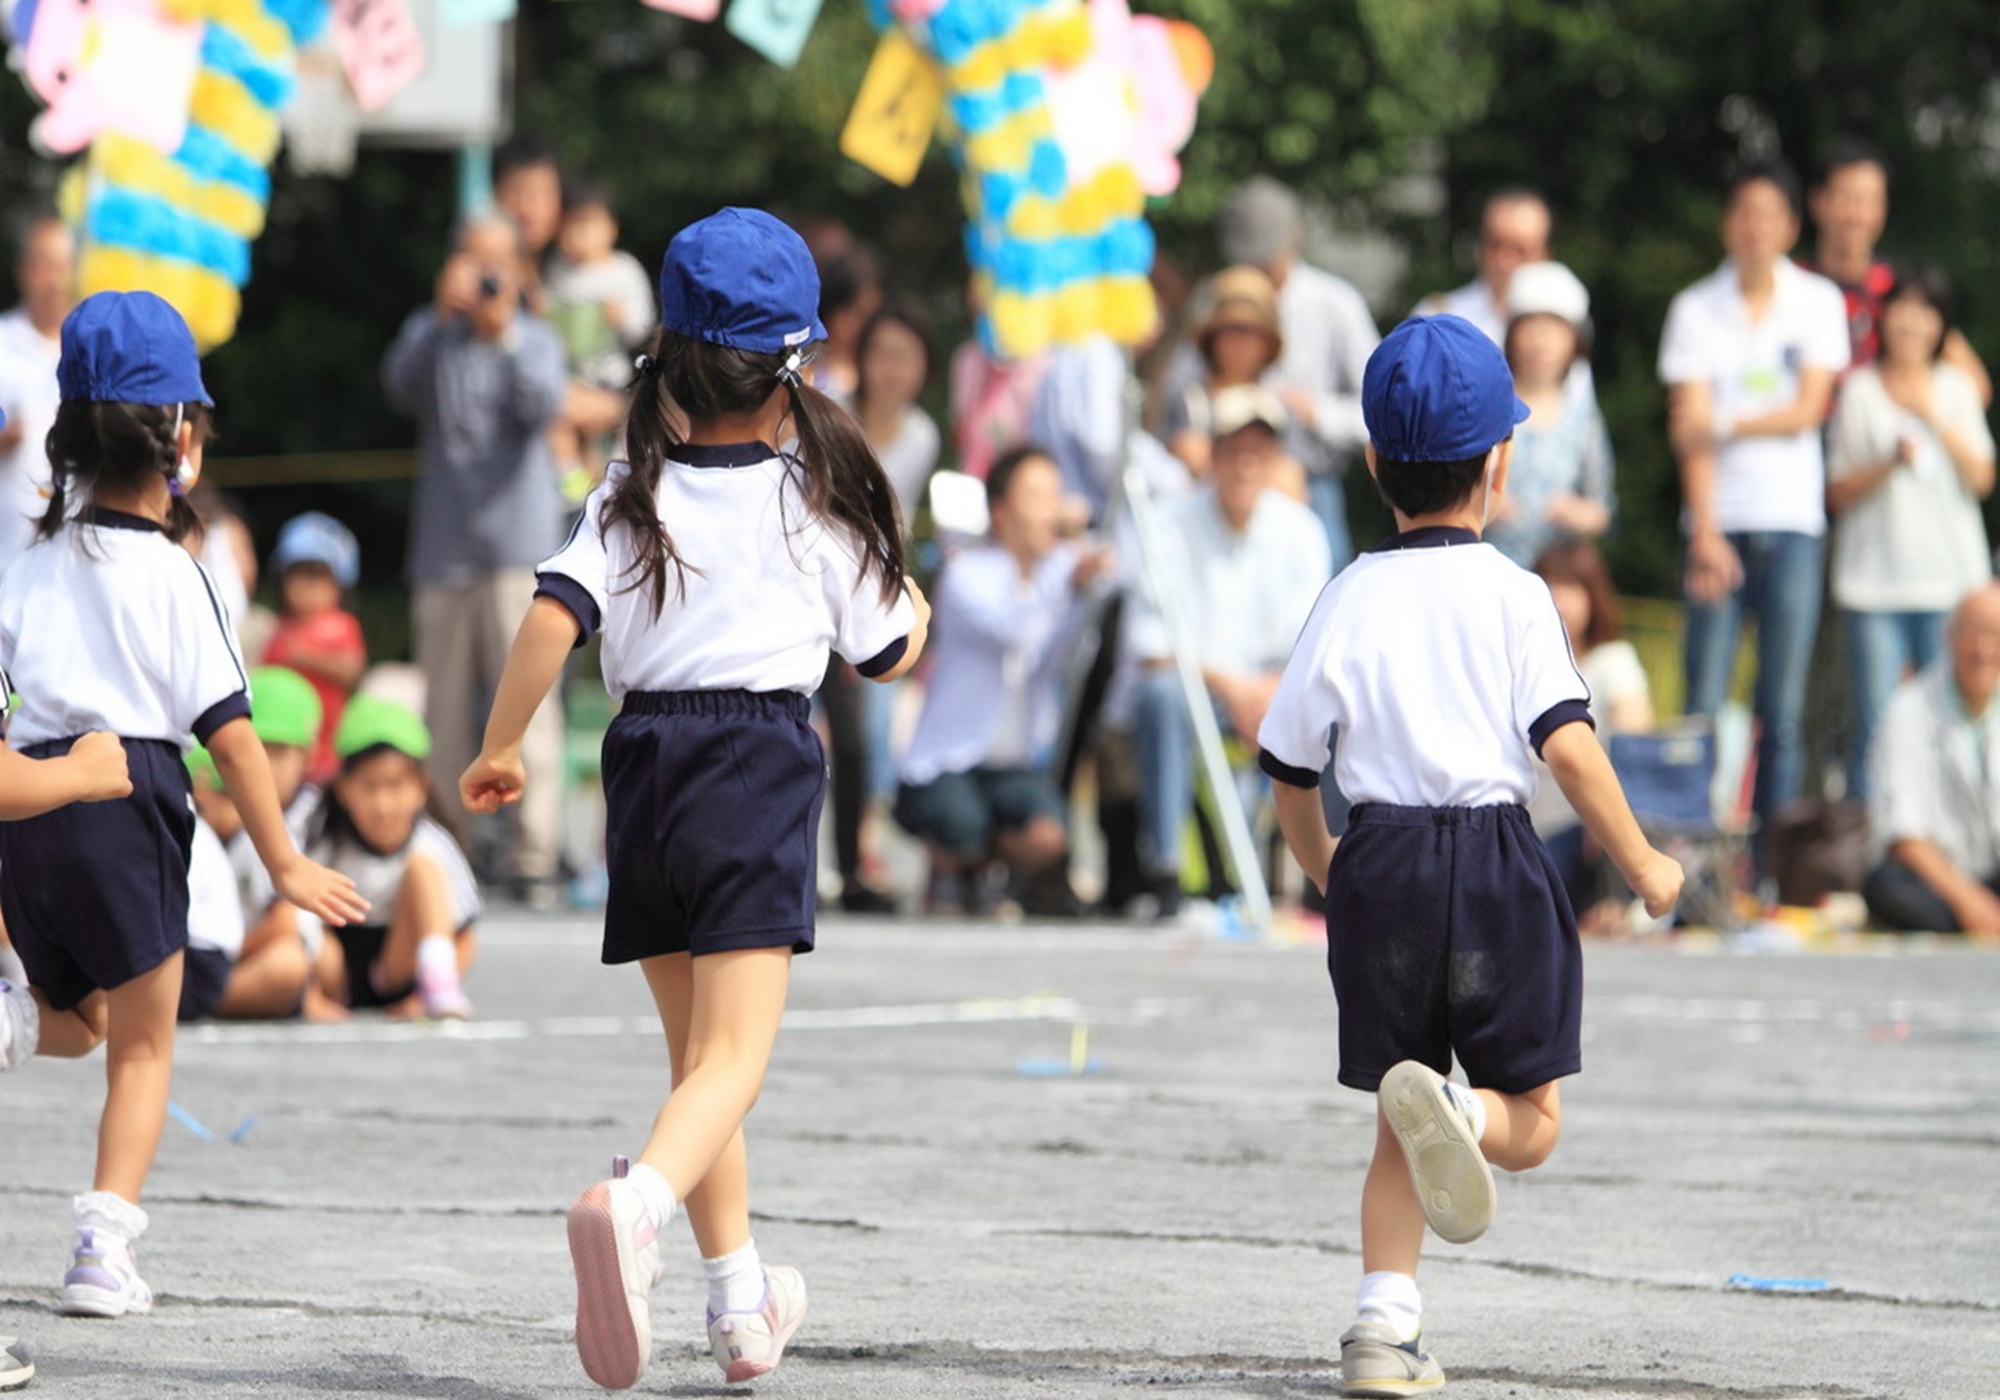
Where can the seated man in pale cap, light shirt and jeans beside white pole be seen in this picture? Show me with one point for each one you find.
(1247, 565)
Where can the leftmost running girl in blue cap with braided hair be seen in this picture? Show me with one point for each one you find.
(109, 625)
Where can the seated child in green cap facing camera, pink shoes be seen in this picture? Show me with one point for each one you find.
(373, 827)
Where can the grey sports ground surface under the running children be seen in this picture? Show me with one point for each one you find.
(977, 1221)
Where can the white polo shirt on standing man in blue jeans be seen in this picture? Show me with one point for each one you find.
(1753, 369)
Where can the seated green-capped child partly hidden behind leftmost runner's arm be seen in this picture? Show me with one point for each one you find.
(251, 955)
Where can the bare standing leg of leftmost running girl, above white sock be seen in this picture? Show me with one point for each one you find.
(139, 1071)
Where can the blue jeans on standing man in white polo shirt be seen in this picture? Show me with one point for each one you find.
(1783, 589)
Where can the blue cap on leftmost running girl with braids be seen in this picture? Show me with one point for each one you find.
(129, 349)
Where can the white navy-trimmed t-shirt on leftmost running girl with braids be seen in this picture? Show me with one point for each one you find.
(115, 627)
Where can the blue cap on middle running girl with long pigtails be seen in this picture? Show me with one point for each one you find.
(741, 279)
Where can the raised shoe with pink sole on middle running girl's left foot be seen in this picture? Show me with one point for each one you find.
(617, 1253)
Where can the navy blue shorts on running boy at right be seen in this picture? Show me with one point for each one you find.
(1449, 933)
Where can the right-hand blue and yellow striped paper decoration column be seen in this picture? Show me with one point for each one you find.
(1047, 103)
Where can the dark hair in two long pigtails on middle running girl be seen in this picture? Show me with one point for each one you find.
(699, 381)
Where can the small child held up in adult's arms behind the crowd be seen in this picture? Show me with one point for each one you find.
(603, 303)
